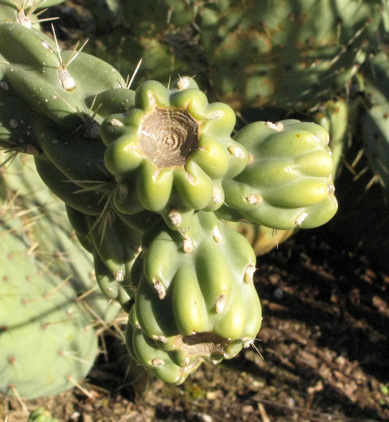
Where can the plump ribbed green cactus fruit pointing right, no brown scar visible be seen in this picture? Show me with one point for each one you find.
(288, 181)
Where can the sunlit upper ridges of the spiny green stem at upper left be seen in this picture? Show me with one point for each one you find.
(60, 84)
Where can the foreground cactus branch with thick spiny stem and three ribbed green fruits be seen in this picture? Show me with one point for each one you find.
(147, 176)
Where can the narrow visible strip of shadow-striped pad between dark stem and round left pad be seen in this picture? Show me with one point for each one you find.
(56, 245)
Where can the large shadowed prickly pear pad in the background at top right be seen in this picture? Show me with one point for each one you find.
(282, 54)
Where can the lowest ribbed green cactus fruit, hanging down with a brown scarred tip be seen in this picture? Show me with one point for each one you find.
(195, 299)
